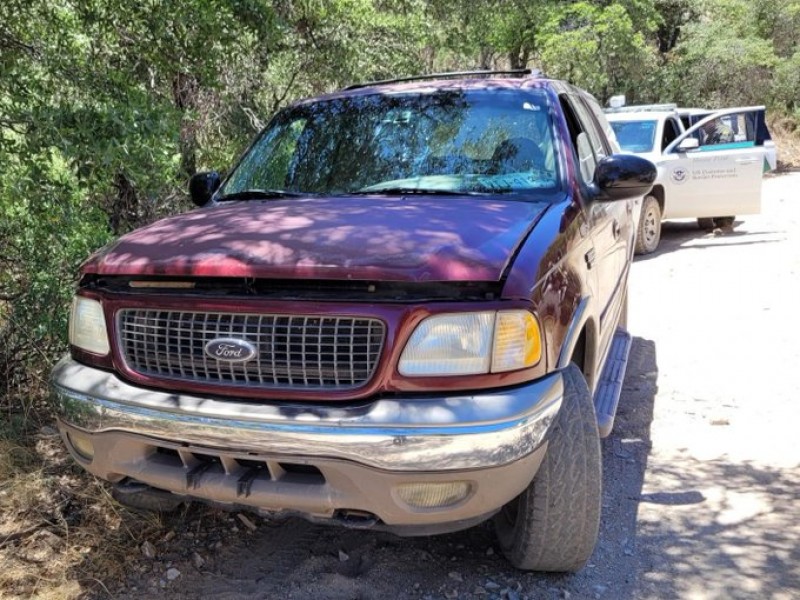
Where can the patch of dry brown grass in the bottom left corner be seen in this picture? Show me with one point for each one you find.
(61, 534)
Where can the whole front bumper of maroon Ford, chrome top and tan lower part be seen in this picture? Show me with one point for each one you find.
(324, 462)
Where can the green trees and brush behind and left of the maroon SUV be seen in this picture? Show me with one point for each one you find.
(108, 107)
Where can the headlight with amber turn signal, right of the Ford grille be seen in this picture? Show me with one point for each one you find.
(472, 344)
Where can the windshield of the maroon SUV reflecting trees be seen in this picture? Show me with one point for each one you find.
(482, 141)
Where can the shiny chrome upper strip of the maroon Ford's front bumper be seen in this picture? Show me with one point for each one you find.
(414, 434)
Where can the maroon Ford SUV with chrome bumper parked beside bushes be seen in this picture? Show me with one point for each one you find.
(401, 310)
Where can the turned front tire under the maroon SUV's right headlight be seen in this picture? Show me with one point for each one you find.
(553, 524)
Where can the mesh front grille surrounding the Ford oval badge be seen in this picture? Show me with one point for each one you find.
(292, 351)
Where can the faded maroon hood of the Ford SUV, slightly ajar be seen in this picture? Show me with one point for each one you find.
(414, 238)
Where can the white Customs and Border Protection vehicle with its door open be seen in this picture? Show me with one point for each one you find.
(710, 163)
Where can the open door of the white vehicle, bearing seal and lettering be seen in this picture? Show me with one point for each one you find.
(722, 176)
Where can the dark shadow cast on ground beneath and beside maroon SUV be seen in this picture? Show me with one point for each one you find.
(295, 559)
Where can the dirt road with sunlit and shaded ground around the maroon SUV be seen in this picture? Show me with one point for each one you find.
(701, 473)
